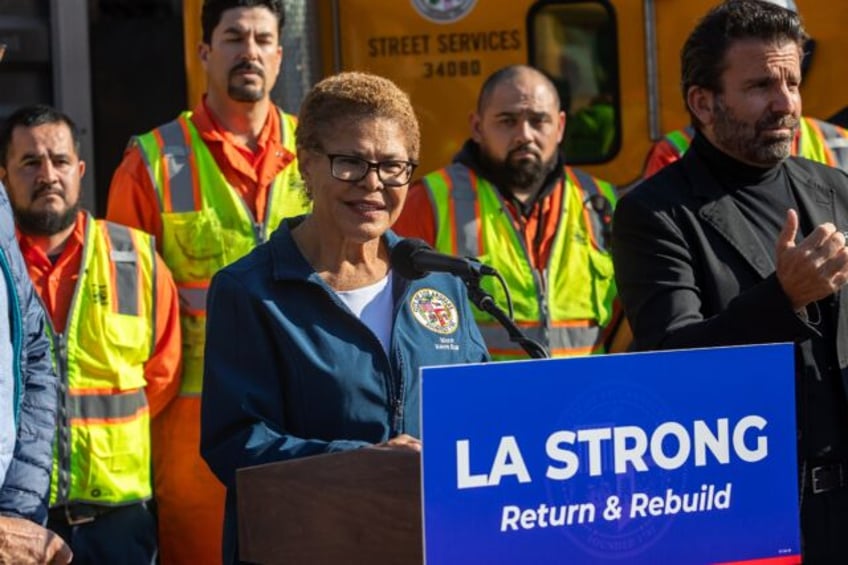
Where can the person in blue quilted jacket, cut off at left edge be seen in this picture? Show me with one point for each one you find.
(27, 409)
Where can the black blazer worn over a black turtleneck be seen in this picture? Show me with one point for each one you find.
(691, 272)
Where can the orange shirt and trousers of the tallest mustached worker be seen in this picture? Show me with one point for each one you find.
(190, 498)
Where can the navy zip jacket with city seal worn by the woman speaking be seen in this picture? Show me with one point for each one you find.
(290, 371)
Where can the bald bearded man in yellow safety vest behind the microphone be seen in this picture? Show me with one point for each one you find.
(551, 241)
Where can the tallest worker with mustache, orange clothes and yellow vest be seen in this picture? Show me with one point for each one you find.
(210, 186)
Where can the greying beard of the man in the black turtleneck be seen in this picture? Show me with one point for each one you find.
(747, 142)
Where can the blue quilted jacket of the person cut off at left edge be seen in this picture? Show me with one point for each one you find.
(24, 490)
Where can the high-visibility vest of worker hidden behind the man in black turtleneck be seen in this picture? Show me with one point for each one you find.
(816, 140)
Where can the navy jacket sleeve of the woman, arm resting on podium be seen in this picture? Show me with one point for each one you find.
(243, 405)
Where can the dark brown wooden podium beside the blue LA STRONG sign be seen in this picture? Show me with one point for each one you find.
(361, 506)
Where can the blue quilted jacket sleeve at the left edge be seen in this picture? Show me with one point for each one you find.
(24, 492)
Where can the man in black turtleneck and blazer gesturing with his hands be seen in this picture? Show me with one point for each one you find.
(739, 243)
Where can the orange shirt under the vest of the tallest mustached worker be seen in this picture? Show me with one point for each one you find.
(133, 200)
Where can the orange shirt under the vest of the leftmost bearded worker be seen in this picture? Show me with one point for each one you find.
(56, 283)
